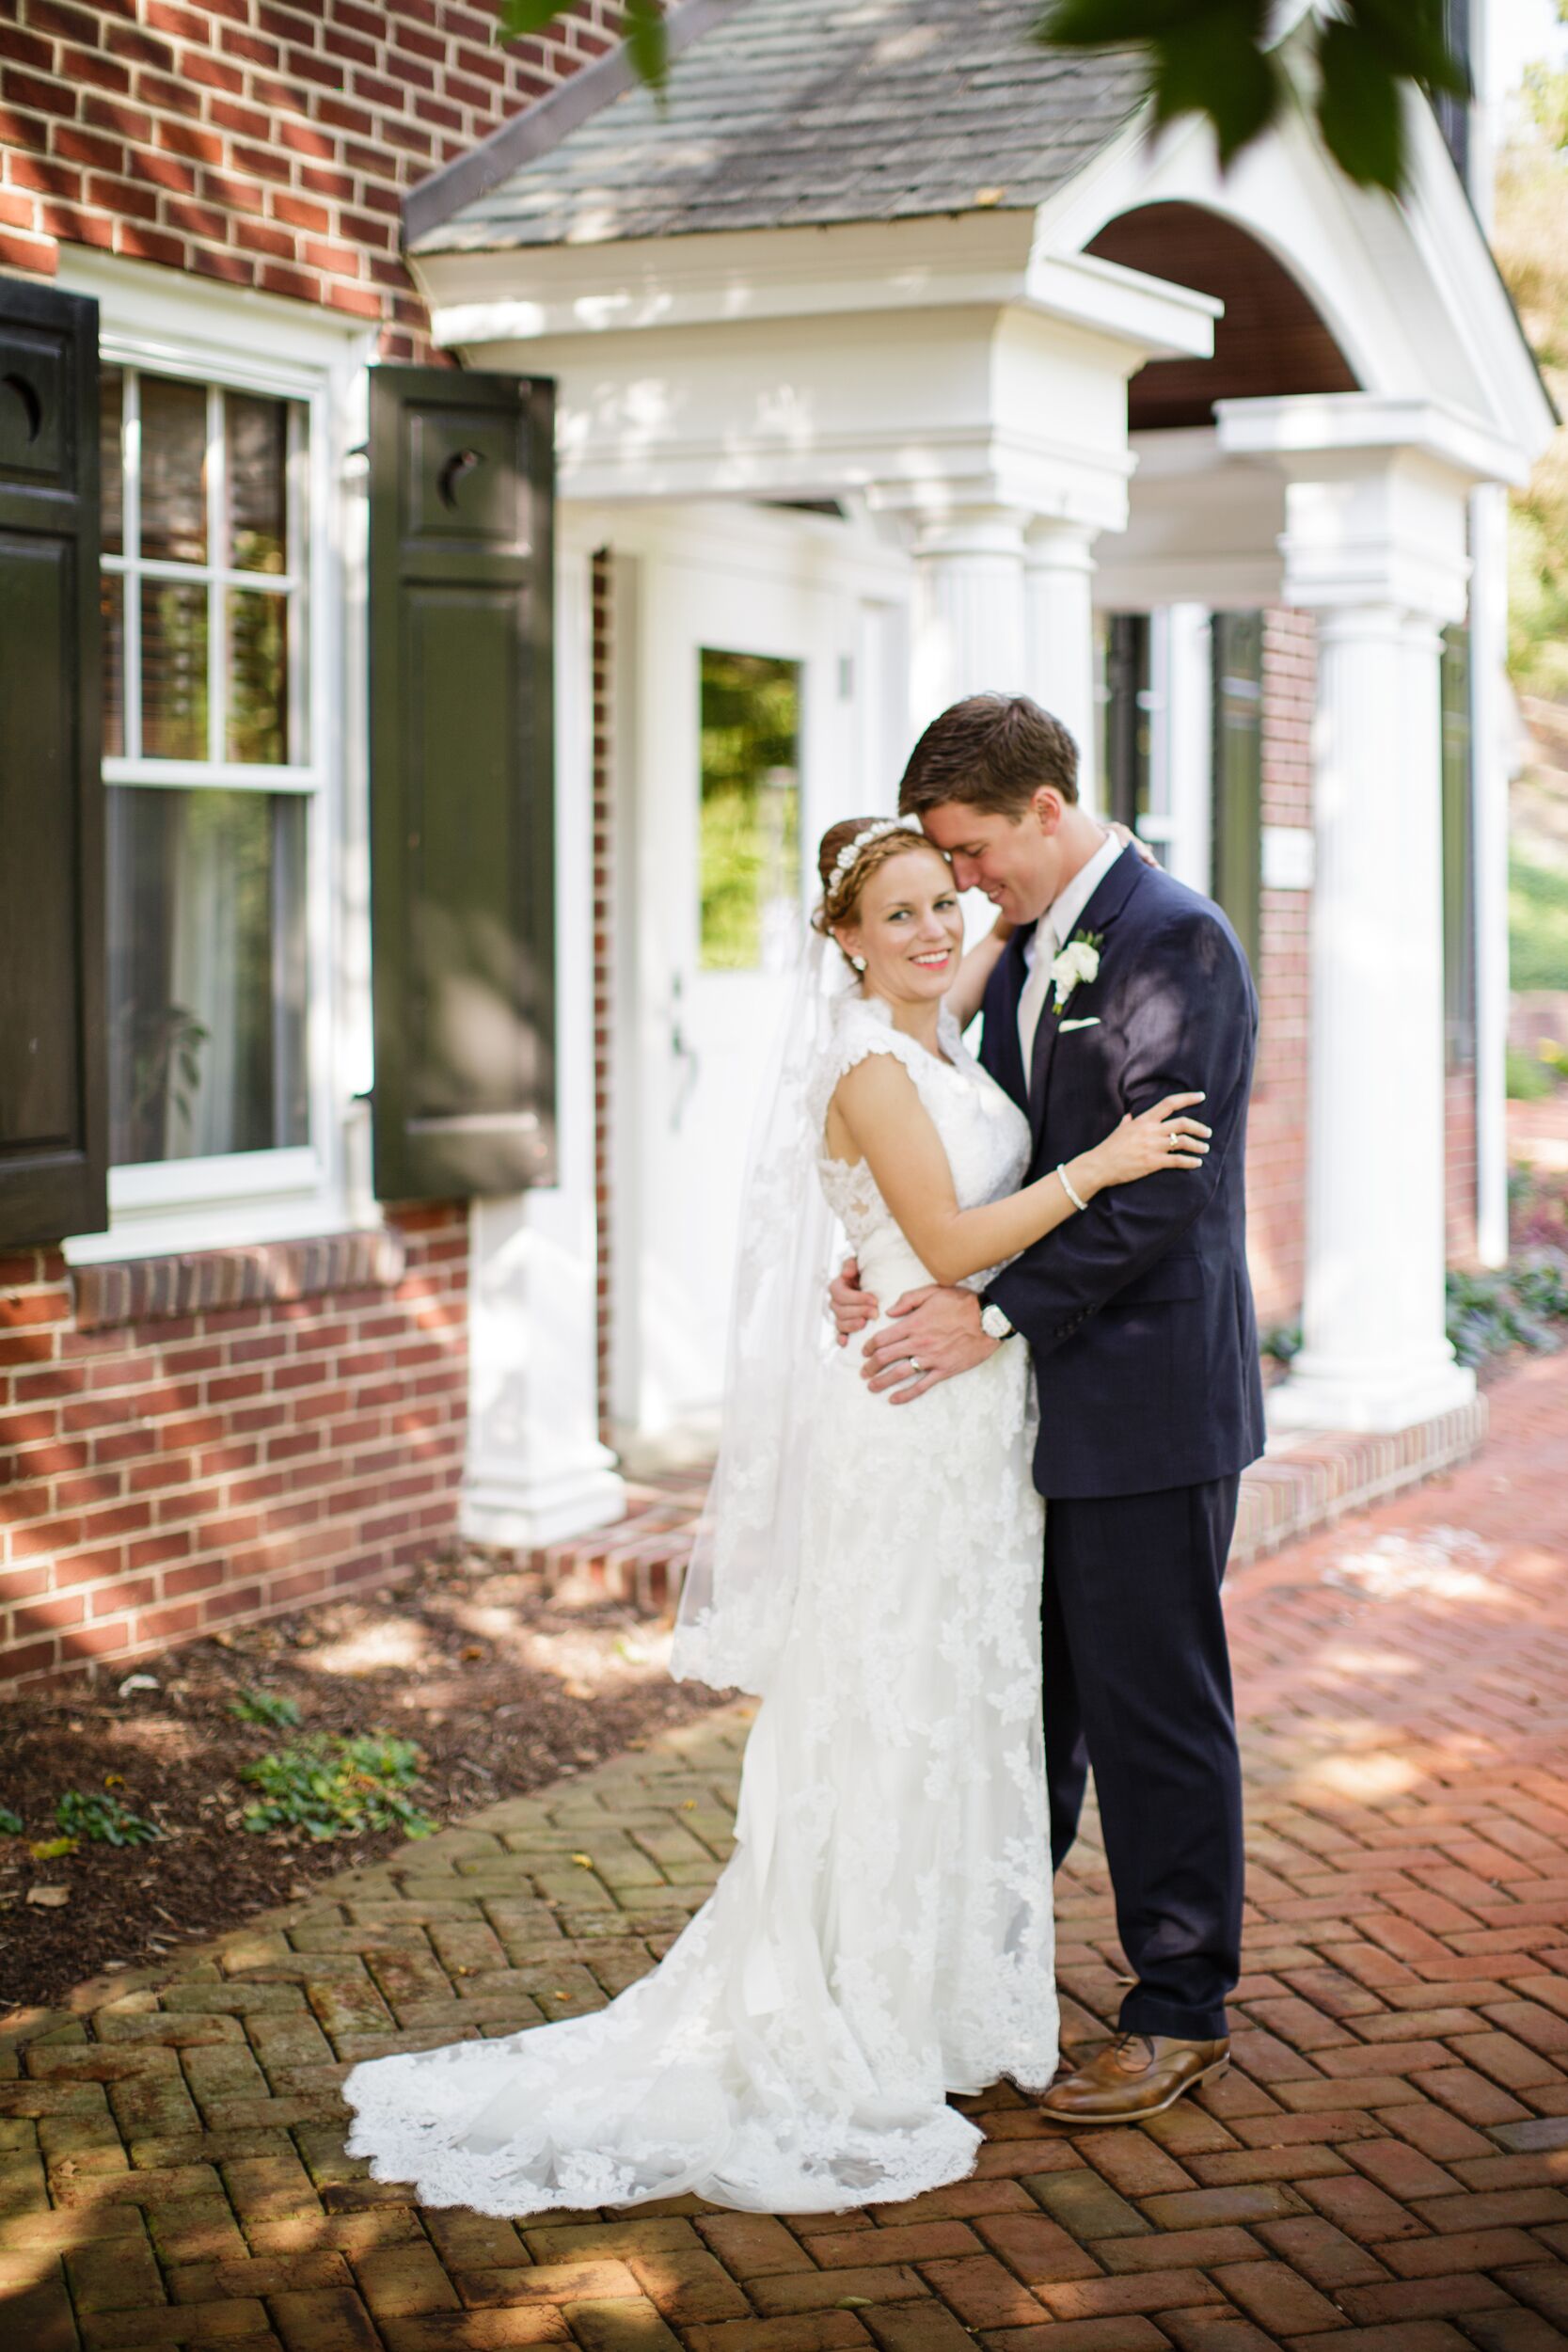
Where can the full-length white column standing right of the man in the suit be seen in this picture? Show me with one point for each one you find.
(1374, 1349)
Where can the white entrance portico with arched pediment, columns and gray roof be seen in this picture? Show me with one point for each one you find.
(892, 396)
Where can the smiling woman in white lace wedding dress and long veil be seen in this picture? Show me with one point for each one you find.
(883, 1932)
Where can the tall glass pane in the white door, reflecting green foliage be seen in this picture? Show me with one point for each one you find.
(751, 813)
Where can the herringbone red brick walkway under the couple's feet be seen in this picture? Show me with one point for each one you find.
(1383, 2160)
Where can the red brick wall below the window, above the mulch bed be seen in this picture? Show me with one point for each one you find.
(175, 1474)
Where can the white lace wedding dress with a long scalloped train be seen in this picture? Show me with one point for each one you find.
(883, 1932)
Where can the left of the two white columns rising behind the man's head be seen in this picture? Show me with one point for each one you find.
(970, 610)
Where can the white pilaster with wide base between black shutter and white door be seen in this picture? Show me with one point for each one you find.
(535, 1466)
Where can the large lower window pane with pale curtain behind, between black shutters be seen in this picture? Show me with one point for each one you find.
(206, 973)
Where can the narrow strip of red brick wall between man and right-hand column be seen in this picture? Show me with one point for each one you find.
(1278, 1130)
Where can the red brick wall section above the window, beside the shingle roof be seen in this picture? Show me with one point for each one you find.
(255, 142)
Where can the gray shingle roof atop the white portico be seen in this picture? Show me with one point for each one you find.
(812, 112)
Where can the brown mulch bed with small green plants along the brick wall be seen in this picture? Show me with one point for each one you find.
(502, 1690)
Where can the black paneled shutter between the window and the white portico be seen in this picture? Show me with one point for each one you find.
(462, 782)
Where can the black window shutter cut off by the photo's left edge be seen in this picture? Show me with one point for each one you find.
(53, 1074)
